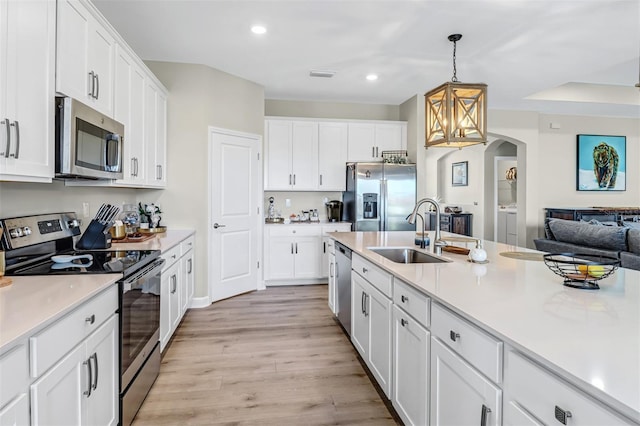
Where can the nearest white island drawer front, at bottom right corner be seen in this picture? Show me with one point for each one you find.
(536, 396)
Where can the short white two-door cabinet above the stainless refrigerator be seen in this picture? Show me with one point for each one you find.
(368, 140)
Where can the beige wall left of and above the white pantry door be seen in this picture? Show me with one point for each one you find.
(199, 97)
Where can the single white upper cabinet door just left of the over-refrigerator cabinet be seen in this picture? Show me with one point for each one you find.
(332, 156)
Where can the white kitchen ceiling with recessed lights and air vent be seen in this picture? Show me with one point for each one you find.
(521, 48)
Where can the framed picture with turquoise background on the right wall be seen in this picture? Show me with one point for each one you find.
(601, 163)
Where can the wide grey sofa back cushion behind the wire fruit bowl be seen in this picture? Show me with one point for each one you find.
(584, 234)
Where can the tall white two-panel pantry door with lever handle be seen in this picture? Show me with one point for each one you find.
(235, 199)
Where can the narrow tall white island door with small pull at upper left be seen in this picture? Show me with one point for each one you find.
(410, 369)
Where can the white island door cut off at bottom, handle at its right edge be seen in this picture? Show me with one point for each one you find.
(460, 395)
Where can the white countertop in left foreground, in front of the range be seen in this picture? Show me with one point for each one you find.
(31, 303)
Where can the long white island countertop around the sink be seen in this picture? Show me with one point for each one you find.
(590, 337)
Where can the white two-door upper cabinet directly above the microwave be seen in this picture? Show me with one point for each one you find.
(85, 57)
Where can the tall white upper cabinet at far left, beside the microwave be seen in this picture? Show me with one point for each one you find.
(27, 59)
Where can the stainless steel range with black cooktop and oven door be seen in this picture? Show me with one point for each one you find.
(44, 245)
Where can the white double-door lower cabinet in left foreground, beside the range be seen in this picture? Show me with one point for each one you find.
(83, 387)
